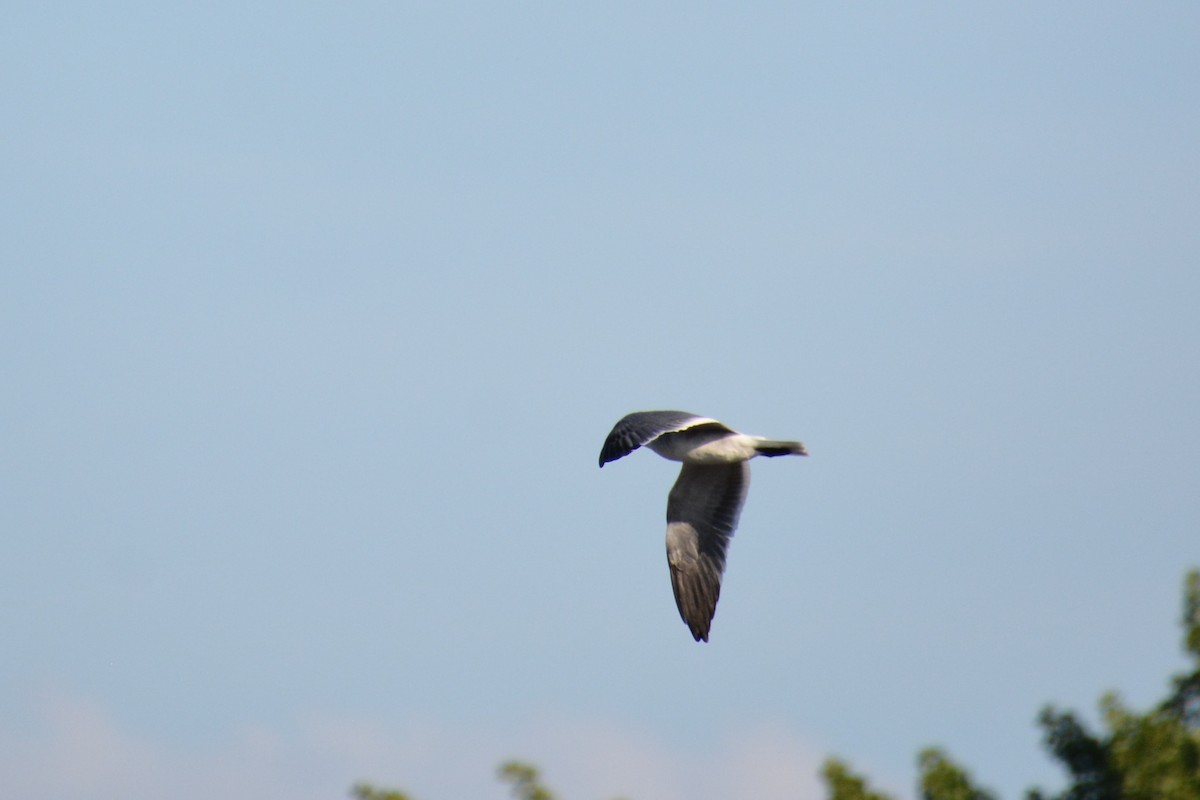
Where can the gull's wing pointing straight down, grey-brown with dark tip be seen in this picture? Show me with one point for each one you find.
(703, 513)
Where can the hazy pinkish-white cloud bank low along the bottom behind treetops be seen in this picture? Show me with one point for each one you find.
(76, 749)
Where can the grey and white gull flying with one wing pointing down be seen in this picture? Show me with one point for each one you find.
(706, 501)
